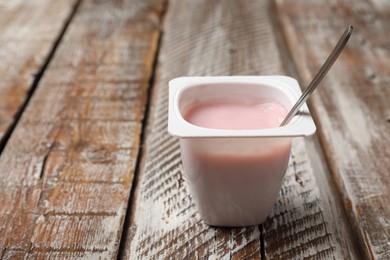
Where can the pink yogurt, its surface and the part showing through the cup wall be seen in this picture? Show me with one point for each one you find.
(238, 184)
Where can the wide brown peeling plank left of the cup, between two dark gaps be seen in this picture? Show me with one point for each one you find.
(67, 170)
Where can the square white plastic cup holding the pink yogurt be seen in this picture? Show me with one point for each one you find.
(234, 176)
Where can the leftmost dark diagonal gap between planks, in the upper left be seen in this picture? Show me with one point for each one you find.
(37, 78)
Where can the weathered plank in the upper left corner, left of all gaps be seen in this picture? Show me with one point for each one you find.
(28, 31)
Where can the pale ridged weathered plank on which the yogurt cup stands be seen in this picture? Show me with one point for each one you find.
(224, 38)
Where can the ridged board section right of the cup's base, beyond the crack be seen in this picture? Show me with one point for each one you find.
(308, 221)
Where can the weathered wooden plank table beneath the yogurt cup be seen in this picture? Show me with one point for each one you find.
(88, 170)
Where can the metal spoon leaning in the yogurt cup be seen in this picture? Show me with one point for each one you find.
(320, 74)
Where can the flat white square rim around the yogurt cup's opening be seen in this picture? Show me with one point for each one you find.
(301, 125)
